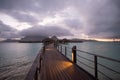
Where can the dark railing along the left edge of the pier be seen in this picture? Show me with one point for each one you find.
(36, 67)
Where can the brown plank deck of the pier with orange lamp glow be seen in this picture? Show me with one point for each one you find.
(56, 67)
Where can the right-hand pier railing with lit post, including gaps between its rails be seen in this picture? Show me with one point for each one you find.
(101, 67)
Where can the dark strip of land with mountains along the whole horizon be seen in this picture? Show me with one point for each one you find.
(40, 39)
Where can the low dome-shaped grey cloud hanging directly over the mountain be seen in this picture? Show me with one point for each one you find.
(46, 31)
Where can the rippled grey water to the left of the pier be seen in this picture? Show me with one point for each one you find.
(16, 59)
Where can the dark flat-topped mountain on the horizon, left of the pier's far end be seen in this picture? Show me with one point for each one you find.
(32, 39)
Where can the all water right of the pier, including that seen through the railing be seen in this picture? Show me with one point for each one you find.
(107, 49)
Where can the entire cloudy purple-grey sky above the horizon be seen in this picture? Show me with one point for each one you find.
(63, 18)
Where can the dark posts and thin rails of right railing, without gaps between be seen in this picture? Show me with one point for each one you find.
(74, 50)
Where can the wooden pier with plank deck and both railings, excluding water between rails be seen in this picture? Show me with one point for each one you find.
(50, 64)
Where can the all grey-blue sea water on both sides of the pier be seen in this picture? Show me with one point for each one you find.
(17, 58)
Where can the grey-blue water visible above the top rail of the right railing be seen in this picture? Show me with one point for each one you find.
(108, 49)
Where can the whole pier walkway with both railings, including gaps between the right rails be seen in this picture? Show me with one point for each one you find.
(65, 63)
